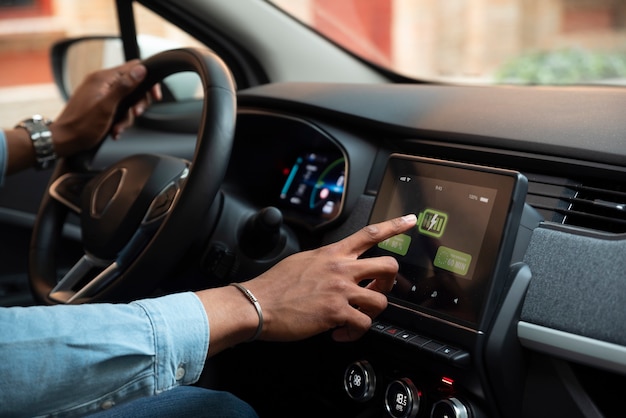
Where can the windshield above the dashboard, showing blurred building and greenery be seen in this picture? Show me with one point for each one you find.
(548, 42)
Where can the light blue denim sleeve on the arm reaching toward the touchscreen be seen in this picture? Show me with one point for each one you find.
(74, 360)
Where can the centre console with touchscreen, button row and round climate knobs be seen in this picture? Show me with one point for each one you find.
(425, 355)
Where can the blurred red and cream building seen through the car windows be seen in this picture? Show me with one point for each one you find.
(459, 39)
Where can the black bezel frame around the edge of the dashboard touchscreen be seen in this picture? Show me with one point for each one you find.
(495, 254)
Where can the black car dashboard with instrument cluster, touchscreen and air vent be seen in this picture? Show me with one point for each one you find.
(516, 203)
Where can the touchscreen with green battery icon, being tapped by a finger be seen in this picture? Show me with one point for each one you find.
(447, 260)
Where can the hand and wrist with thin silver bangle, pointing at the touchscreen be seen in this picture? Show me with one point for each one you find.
(310, 292)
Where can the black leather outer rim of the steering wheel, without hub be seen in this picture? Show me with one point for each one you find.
(208, 167)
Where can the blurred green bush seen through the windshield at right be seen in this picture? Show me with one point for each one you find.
(567, 66)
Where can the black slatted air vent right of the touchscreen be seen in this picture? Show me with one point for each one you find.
(596, 206)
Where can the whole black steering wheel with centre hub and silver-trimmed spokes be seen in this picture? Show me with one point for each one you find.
(136, 216)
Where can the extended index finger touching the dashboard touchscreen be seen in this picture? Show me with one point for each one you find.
(370, 235)
